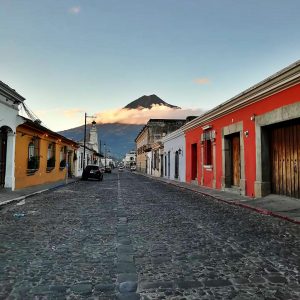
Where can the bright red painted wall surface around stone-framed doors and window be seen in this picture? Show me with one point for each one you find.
(285, 97)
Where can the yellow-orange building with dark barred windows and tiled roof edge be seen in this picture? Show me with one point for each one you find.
(41, 155)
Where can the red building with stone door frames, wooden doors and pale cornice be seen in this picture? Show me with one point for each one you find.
(250, 143)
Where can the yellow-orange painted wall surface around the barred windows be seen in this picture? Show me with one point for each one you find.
(22, 179)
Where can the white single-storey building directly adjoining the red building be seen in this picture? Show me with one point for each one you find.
(174, 155)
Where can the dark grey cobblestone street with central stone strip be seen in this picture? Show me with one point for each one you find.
(131, 237)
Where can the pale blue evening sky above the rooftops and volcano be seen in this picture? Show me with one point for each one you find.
(67, 57)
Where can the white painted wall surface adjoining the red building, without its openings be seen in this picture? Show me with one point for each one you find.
(172, 145)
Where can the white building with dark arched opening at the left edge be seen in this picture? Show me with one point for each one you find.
(9, 120)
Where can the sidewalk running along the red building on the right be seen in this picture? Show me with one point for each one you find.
(274, 205)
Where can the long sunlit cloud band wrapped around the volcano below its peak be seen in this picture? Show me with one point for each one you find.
(141, 116)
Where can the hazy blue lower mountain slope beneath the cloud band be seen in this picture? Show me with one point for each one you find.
(119, 138)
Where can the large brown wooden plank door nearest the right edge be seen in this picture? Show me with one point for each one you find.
(285, 159)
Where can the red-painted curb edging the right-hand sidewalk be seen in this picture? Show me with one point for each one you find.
(261, 211)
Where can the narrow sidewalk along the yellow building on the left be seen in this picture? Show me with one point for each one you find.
(7, 196)
